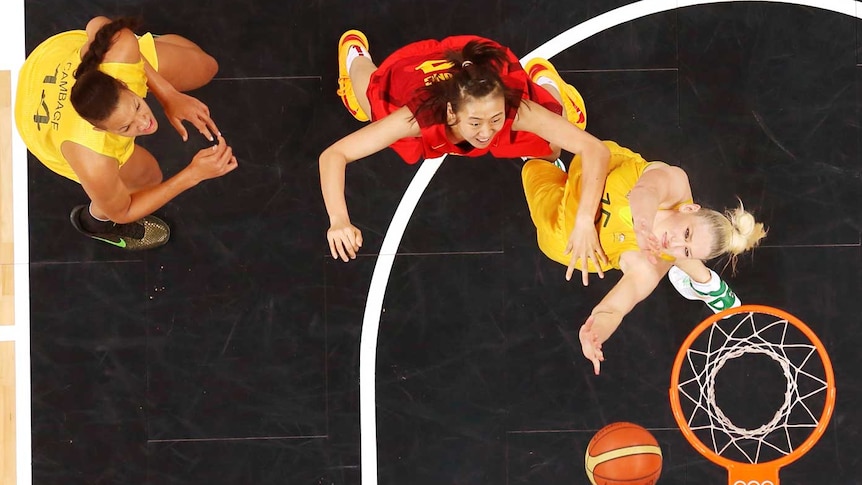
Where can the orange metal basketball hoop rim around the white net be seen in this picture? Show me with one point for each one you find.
(765, 473)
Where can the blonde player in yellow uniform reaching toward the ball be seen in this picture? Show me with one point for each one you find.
(648, 226)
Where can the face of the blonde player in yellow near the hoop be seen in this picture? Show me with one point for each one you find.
(684, 235)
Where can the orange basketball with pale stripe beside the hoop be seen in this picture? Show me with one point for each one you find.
(623, 454)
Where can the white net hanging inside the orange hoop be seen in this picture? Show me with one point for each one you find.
(726, 340)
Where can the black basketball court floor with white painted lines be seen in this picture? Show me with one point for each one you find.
(447, 353)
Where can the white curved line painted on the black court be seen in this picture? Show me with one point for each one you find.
(383, 267)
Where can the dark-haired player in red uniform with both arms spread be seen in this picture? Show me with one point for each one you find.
(464, 96)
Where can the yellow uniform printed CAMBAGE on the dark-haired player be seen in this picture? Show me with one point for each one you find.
(43, 114)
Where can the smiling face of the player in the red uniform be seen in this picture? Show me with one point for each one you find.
(480, 119)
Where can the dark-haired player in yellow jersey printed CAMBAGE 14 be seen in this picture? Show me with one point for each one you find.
(80, 104)
